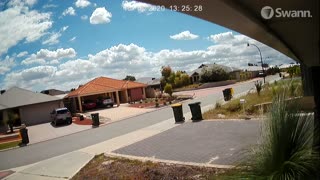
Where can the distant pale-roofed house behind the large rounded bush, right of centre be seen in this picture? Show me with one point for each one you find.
(195, 74)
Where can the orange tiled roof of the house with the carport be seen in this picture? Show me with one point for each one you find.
(104, 84)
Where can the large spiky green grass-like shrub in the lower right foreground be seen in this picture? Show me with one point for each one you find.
(286, 150)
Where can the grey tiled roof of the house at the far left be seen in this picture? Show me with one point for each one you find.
(16, 97)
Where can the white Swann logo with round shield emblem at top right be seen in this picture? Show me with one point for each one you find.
(267, 12)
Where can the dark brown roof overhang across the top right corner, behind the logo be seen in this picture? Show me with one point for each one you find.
(298, 38)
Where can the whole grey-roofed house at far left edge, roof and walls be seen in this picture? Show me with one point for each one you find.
(29, 107)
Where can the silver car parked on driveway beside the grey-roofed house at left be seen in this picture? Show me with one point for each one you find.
(61, 115)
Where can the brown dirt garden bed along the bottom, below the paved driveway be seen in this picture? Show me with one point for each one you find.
(102, 167)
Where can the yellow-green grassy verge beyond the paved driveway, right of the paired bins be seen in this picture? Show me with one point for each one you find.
(233, 108)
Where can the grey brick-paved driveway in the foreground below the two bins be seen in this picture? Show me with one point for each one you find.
(219, 142)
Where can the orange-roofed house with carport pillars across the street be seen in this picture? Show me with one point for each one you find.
(120, 91)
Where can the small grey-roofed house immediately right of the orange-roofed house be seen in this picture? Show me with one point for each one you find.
(153, 85)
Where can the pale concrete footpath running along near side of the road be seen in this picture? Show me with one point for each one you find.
(67, 165)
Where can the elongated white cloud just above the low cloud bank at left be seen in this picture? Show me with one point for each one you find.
(45, 56)
